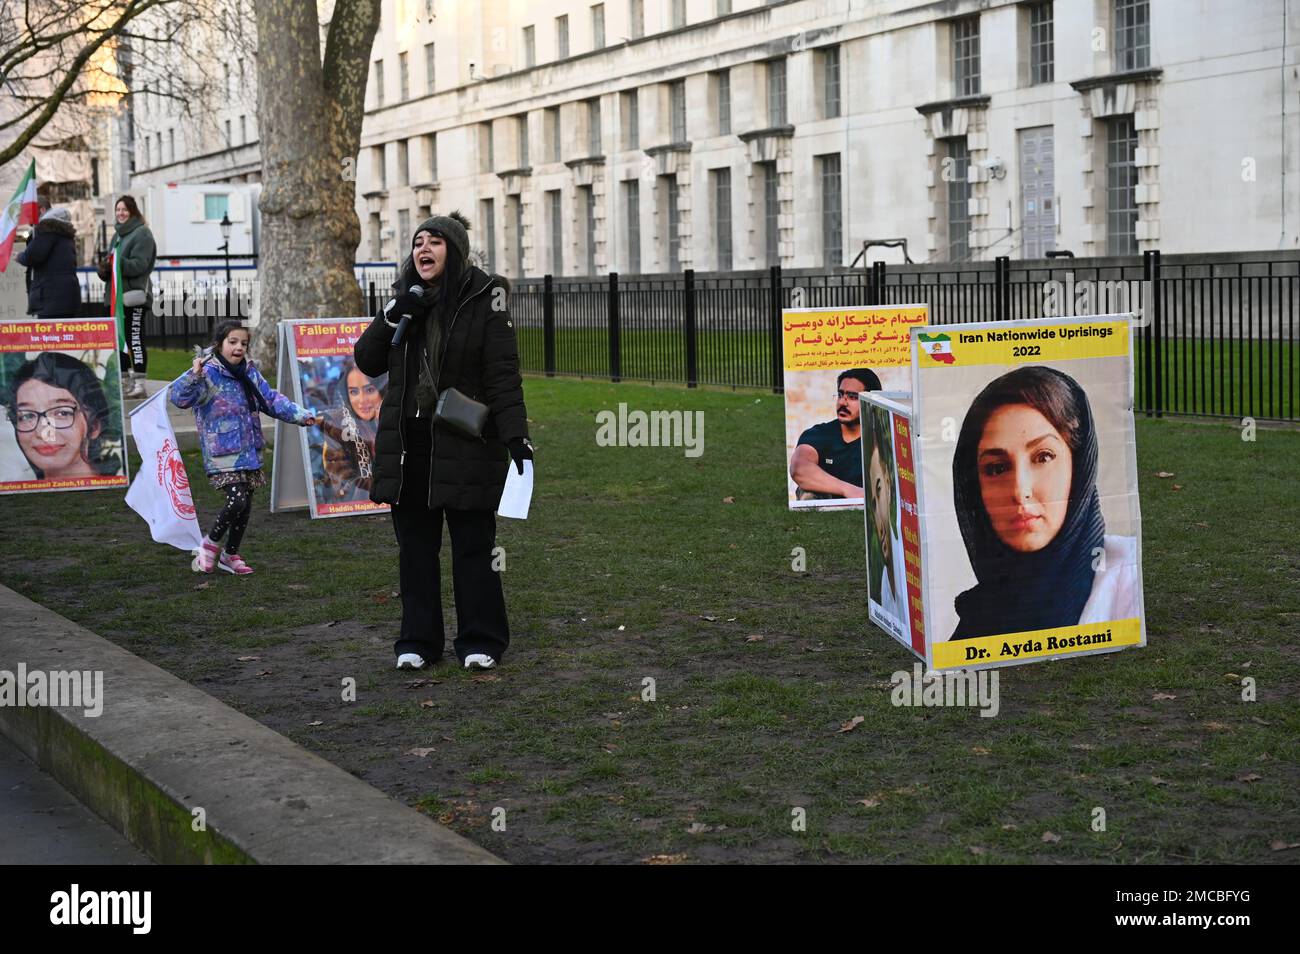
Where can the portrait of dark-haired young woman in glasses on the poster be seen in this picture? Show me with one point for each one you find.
(62, 420)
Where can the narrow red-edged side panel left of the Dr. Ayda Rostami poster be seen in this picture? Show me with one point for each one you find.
(892, 523)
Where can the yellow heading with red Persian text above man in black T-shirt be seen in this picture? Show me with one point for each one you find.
(843, 339)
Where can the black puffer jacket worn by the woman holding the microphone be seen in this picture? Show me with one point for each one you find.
(480, 359)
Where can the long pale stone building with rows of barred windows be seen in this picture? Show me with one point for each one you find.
(656, 136)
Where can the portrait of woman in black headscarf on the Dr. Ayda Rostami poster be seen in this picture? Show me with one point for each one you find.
(1025, 482)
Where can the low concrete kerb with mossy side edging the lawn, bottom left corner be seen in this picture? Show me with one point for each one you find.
(162, 749)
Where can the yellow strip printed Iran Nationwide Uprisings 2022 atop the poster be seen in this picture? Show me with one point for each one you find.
(1021, 345)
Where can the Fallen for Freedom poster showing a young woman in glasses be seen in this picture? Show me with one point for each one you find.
(62, 392)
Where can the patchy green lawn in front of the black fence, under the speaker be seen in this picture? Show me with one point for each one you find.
(644, 565)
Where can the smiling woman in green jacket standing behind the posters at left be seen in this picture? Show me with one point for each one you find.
(127, 271)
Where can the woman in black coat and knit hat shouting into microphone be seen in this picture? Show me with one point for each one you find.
(452, 422)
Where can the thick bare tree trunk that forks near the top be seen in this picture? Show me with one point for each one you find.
(310, 125)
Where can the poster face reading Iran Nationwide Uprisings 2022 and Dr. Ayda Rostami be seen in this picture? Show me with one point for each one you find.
(1028, 491)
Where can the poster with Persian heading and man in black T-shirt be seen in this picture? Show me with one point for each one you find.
(831, 355)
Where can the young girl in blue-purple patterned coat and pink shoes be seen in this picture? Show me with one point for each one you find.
(228, 394)
